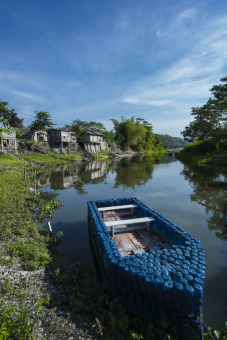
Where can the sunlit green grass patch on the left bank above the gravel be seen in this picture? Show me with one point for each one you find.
(17, 221)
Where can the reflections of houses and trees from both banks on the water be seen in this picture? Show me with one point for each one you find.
(209, 184)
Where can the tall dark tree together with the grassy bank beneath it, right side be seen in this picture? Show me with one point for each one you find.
(208, 131)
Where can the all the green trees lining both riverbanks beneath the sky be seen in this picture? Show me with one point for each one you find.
(210, 123)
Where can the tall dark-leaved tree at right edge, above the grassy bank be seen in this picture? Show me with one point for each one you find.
(210, 120)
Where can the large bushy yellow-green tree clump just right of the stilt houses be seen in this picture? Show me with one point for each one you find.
(136, 134)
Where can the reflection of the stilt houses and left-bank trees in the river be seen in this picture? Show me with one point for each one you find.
(129, 173)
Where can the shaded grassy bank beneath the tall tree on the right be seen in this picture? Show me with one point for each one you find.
(204, 153)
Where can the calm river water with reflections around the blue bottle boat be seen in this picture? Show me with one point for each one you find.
(193, 198)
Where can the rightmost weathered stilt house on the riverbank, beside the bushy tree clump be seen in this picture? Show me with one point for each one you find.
(94, 142)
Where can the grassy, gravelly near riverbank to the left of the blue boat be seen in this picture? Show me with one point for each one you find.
(51, 298)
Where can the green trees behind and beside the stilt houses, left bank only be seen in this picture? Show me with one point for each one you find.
(133, 133)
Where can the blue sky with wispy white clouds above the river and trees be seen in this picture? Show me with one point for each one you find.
(97, 60)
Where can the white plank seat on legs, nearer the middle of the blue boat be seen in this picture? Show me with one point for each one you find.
(115, 226)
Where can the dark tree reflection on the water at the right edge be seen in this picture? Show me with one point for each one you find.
(209, 190)
